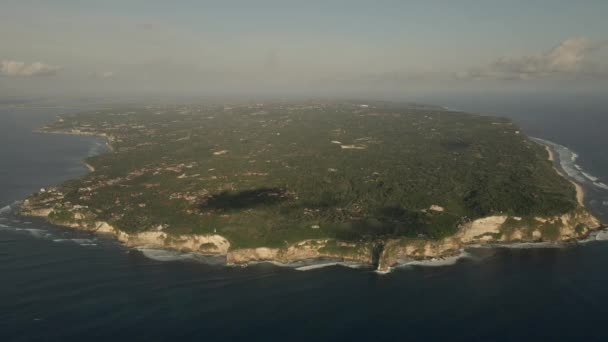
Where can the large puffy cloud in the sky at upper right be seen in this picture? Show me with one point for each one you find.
(570, 57)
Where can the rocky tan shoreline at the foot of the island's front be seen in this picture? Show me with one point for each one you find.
(310, 253)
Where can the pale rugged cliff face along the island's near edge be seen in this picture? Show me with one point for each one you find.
(573, 225)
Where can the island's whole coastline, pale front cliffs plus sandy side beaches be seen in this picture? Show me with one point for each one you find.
(394, 252)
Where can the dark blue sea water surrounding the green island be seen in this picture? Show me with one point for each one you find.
(57, 284)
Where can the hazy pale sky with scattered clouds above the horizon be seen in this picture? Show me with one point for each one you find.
(302, 47)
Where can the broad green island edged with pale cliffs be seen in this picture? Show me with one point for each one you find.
(375, 183)
